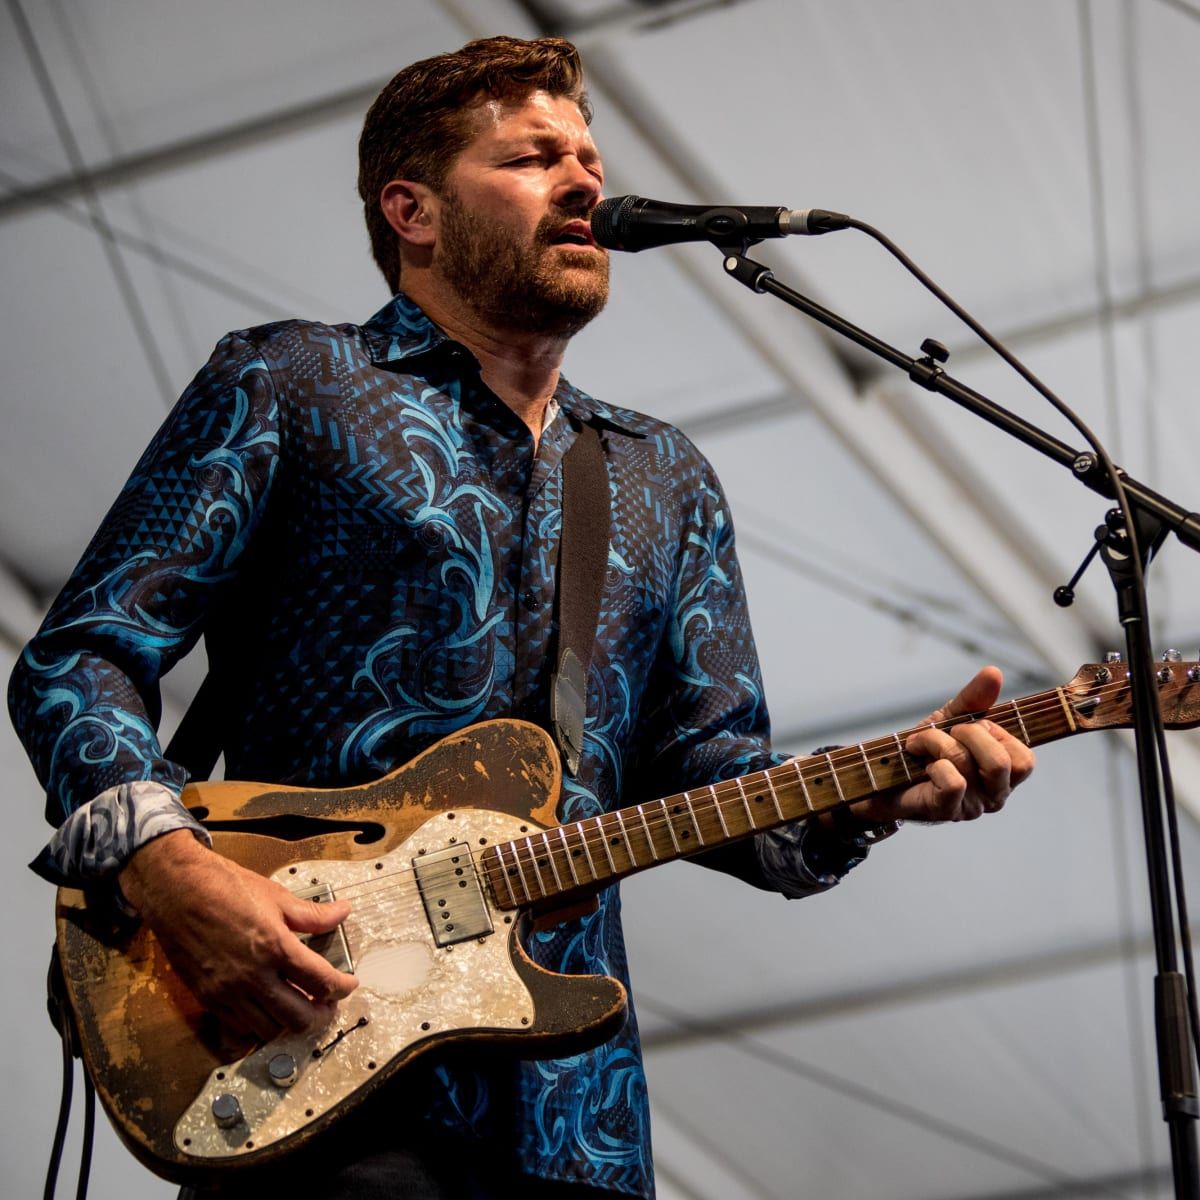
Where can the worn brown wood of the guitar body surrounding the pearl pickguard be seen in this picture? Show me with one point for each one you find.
(152, 1049)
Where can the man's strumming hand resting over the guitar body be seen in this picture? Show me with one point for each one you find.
(232, 937)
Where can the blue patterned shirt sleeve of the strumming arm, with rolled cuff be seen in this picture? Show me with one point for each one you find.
(85, 694)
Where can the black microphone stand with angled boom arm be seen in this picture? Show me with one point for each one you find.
(1155, 517)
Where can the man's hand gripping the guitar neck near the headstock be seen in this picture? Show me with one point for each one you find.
(970, 770)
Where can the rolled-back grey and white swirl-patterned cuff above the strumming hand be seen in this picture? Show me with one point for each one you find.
(100, 838)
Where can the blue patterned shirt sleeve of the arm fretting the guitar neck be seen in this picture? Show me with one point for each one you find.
(706, 717)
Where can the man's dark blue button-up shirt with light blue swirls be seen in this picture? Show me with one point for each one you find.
(368, 538)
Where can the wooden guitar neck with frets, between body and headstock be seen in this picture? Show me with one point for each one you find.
(590, 855)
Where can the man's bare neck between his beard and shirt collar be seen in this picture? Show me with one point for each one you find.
(521, 367)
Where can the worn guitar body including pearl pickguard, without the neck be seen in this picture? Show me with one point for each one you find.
(166, 1071)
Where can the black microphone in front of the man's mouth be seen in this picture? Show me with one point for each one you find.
(629, 223)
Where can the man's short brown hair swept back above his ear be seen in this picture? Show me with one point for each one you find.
(421, 122)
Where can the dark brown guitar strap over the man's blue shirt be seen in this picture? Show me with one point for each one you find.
(583, 560)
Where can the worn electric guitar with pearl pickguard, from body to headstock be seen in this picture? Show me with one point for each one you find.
(445, 862)
